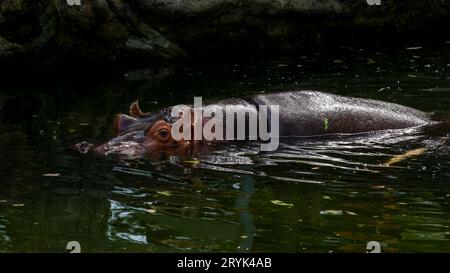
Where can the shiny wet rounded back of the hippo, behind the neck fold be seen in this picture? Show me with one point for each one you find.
(306, 113)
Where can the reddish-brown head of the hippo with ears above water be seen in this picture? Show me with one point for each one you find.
(145, 134)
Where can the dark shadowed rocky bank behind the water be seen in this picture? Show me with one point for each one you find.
(153, 30)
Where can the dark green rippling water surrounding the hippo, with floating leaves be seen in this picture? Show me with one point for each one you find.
(312, 195)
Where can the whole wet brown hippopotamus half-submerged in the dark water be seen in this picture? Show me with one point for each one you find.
(301, 114)
